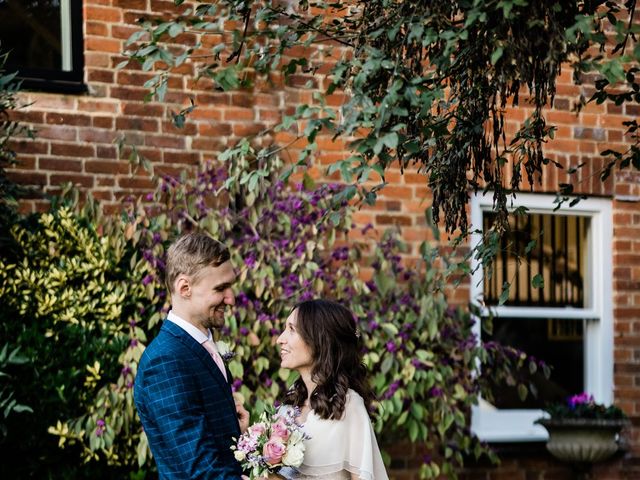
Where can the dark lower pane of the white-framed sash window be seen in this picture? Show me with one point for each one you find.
(558, 342)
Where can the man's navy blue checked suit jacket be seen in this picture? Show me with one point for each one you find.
(186, 408)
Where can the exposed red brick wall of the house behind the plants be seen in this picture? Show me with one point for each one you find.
(75, 142)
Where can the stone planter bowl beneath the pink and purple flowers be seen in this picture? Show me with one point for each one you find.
(582, 441)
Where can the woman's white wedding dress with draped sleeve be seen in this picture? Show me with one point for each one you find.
(339, 448)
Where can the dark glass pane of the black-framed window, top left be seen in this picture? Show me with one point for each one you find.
(32, 30)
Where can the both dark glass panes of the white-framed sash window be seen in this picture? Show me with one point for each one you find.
(554, 246)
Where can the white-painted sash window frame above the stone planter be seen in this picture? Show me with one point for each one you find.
(494, 425)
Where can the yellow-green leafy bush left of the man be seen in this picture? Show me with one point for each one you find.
(71, 302)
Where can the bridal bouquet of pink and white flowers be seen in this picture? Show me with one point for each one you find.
(275, 441)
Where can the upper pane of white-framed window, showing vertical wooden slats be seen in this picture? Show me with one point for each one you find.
(559, 256)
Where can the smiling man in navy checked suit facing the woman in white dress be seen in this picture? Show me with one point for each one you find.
(181, 391)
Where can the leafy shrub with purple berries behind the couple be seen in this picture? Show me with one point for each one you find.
(290, 244)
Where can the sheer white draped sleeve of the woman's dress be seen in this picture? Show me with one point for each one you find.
(362, 454)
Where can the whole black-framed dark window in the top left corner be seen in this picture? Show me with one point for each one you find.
(44, 41)
